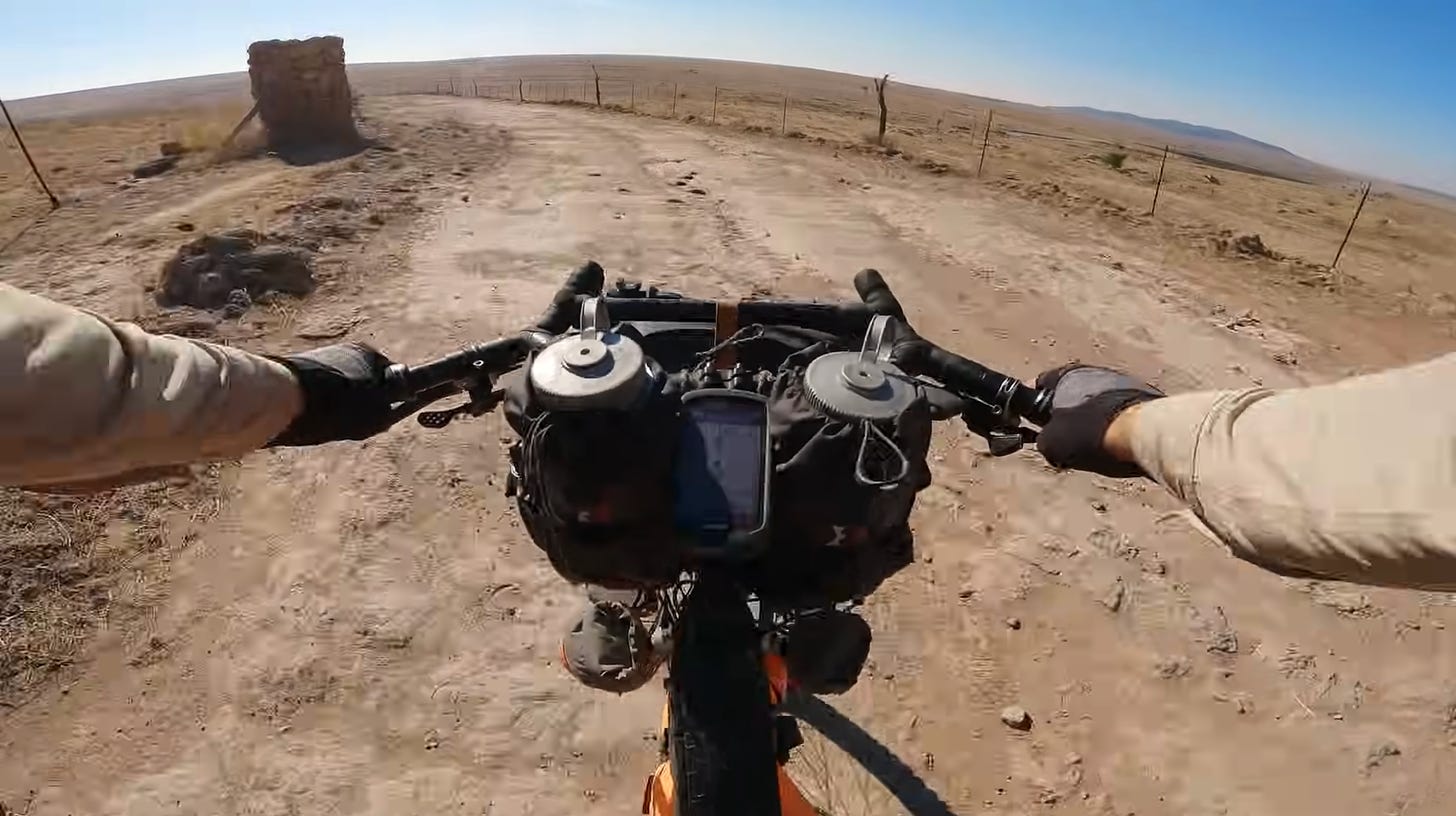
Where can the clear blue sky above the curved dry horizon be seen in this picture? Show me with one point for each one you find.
(1366, 87)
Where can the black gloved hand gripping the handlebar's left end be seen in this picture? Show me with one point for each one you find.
(344, 396)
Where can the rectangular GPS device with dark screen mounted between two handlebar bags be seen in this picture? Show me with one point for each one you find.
(721, 473)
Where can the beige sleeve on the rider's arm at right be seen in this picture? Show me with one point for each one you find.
(1353, 480)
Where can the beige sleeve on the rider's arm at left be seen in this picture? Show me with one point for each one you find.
(85, 400)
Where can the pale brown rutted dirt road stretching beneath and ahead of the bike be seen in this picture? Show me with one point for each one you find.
(365, 629)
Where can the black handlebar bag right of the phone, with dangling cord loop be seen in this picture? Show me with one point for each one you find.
(834, 537)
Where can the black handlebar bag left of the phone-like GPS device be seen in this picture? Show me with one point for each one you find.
(595, 489)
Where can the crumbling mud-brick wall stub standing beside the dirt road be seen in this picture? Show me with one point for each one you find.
(302, 93)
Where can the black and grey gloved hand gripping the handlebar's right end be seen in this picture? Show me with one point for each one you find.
(1085, 400)
